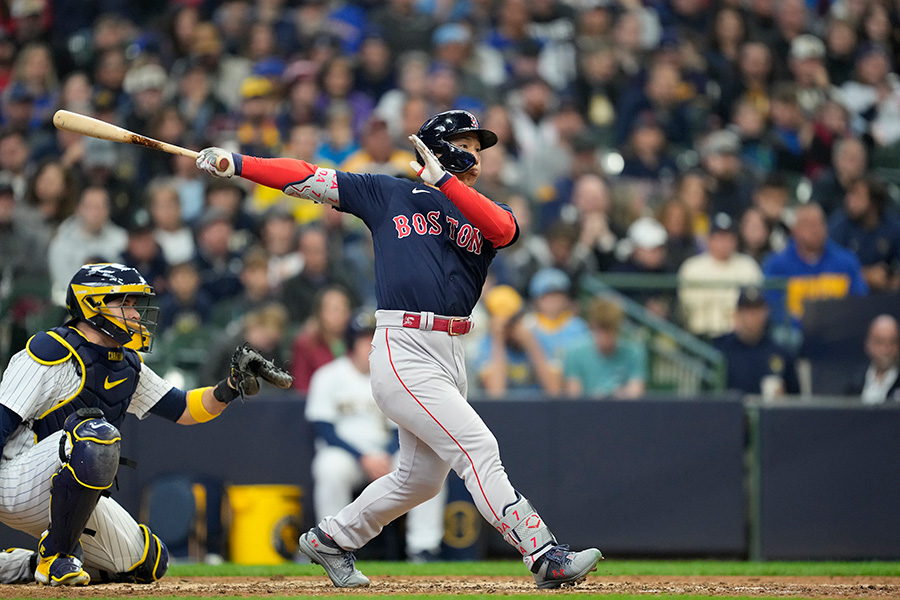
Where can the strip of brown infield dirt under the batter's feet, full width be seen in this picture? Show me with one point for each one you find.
(807, 587)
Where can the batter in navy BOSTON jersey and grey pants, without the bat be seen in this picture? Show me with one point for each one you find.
(434, 242)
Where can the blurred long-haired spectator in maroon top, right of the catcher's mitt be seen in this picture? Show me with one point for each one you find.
(322, 337)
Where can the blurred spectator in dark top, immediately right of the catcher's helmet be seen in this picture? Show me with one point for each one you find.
(186, 306)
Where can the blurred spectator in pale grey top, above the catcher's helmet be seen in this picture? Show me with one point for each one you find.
(88, 233)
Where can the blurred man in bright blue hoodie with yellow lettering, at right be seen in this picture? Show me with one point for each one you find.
(814, 267)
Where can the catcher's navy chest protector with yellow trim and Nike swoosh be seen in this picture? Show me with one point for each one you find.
(108, 376)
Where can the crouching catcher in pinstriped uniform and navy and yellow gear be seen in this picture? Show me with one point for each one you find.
(61, 402)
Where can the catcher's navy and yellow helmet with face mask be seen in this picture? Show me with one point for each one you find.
(94, 286)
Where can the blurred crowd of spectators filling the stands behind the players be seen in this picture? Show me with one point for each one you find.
(721, 143)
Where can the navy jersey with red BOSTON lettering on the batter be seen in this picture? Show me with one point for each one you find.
(428, 256)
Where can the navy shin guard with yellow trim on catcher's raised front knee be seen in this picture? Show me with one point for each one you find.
(90, 455)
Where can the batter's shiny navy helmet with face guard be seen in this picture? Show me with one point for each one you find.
(437, 129)
